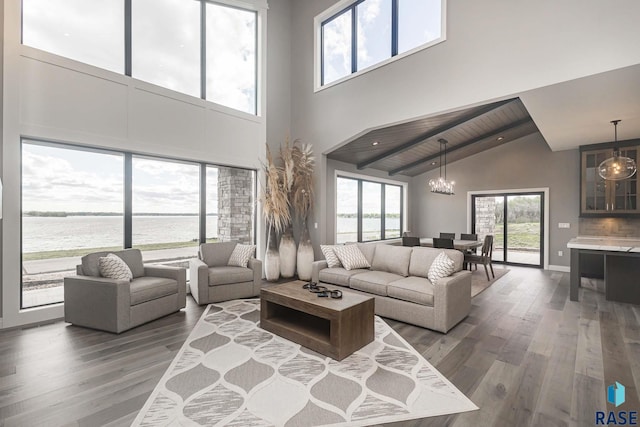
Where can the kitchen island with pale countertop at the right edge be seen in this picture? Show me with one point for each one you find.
(621, 258)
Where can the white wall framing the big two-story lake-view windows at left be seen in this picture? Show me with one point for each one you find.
(53, 98)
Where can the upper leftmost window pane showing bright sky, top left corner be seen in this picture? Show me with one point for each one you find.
(87, 31)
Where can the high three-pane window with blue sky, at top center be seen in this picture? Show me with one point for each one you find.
(367, 32)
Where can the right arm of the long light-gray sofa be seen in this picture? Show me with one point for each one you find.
(451, 300)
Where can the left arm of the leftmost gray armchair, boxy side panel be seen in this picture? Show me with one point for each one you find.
(97, 302)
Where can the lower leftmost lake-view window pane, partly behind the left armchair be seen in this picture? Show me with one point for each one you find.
(72, 204)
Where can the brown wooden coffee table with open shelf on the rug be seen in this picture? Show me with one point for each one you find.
(333, 327)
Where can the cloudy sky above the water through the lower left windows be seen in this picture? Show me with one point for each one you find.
(58, 179)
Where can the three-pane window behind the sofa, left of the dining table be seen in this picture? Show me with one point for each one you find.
(367, 210)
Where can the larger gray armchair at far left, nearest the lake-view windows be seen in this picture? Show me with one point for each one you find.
(117, 305)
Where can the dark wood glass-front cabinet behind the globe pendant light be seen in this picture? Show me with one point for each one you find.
(600, 197)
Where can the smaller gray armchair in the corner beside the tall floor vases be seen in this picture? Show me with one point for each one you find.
(212, 280)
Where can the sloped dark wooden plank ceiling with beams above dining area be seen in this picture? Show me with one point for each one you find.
(412, 148)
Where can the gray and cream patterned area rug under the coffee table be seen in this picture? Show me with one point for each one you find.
(230, 372)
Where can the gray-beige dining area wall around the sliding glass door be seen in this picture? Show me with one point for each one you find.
(522, 164)
